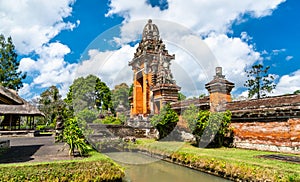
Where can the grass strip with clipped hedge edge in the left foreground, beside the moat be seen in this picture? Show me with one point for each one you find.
(97, 167)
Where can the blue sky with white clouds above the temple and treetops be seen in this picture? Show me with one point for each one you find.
(60, 40)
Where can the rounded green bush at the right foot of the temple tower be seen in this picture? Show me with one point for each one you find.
(165, 121)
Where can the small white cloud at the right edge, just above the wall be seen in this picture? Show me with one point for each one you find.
(288, 84)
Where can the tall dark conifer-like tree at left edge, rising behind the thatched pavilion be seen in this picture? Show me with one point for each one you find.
(10, 76)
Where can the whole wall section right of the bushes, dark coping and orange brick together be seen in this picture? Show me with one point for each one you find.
(271, 124)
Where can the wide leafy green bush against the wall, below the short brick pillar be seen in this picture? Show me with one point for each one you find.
(206, 125)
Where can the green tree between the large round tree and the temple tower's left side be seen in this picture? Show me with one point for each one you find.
(120, 95)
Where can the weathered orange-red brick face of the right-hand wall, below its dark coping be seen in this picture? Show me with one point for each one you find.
(273, 136)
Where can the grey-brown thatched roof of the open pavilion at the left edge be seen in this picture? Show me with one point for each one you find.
(12, 103)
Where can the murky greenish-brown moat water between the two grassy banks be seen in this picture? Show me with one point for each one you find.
(140, 167)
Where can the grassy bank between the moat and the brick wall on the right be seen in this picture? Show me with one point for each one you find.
(232, 163)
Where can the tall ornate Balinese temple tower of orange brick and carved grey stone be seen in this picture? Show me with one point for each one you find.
(153, 82)
